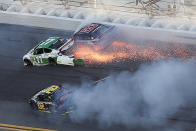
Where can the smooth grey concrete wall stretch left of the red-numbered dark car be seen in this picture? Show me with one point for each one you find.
(39, 21)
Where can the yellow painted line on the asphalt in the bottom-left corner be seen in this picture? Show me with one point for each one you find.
(25, 128)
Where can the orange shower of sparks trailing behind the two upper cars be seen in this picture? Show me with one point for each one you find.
(119, 51)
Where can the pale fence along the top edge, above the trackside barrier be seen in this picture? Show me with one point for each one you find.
(149, 7)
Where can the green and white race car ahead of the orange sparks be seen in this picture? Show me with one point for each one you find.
(48, 53)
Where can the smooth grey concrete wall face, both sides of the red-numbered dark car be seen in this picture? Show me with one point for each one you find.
(164, 34)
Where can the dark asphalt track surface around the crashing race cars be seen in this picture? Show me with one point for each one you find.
(19, 83)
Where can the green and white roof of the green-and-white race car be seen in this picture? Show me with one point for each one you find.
(47, 43)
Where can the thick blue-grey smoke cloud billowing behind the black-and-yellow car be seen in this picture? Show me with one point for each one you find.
(154, 91)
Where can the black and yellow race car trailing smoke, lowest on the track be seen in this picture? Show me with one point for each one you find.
(54, 99)
